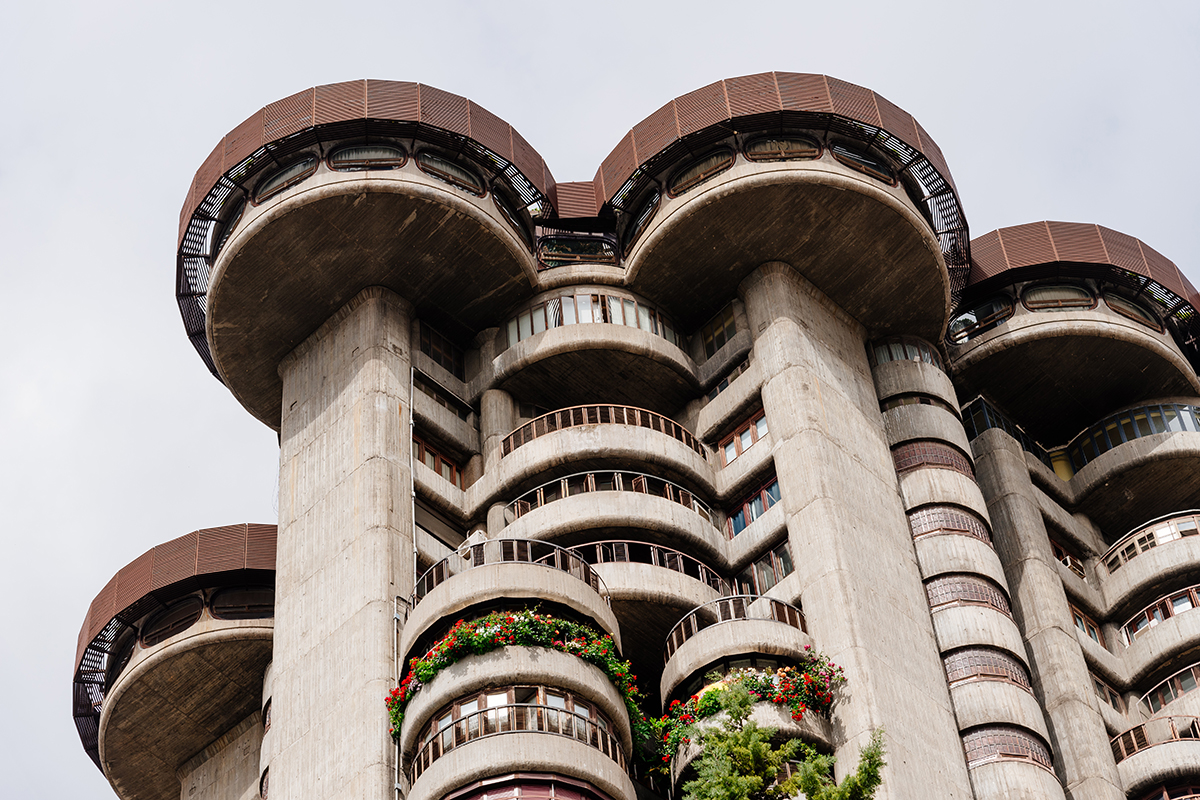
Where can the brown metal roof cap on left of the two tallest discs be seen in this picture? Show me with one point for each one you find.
(362, 100)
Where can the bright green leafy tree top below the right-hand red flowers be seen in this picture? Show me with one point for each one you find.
(740, 762)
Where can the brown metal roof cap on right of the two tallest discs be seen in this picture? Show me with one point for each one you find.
(760, 94)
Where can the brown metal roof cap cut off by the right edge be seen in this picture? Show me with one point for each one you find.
(1049, 243)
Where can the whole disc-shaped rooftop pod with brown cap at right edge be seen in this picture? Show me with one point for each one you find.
(1058, 306)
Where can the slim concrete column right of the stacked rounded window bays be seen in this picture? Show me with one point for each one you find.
(1083, 757)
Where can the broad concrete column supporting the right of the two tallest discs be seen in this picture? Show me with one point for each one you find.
(860, 582)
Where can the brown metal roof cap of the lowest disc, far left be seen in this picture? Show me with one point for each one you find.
(248, 546)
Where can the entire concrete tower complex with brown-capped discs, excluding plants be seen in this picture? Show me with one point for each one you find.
(748, 392)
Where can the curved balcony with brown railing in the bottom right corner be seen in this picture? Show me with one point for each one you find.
(1160, 751)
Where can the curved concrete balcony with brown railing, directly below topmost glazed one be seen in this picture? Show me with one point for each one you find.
(601, 438)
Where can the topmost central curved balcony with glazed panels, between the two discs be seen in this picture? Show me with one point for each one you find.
(596, 333)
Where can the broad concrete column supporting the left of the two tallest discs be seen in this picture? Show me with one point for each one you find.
(345, 550)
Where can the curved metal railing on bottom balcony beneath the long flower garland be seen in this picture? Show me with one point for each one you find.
(518, 718)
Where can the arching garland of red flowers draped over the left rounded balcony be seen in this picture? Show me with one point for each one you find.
(526, 628)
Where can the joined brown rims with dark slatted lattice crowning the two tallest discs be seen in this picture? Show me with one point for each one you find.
(682, 129)
